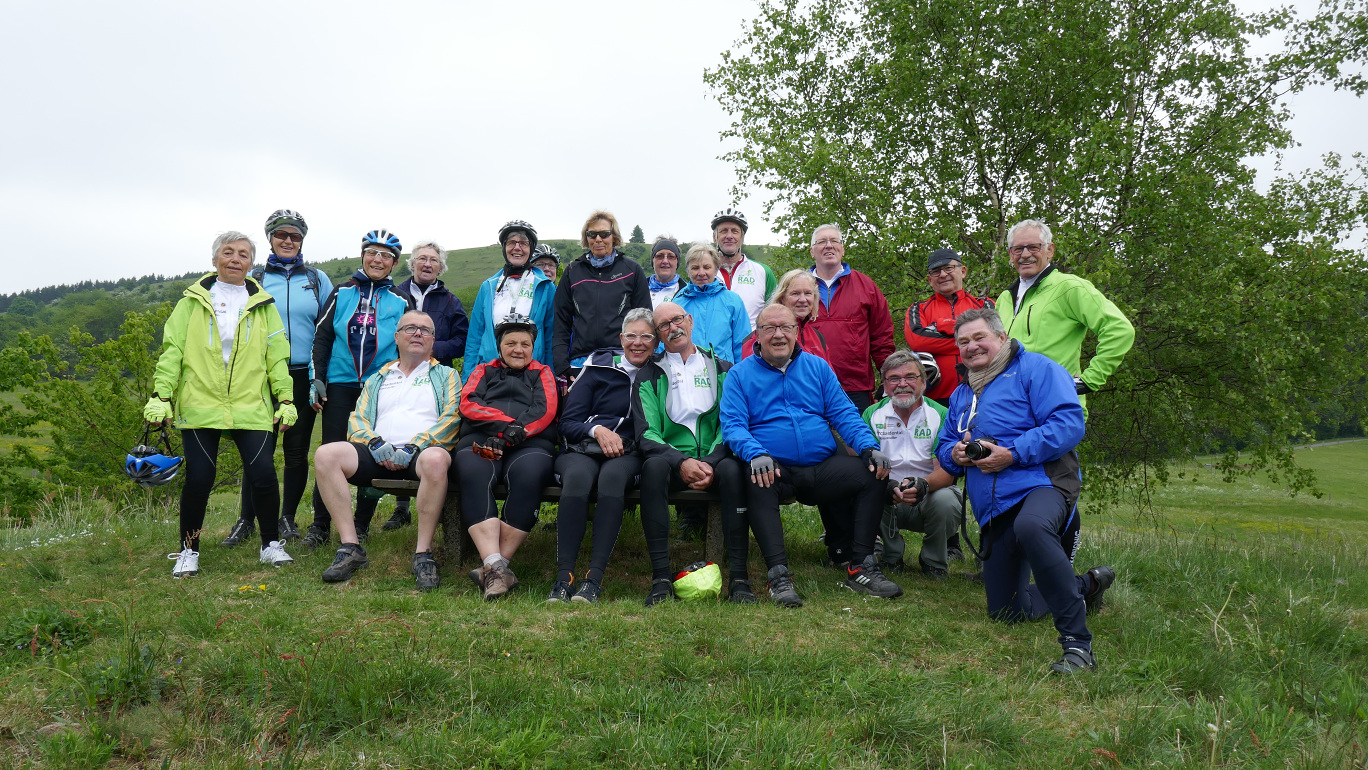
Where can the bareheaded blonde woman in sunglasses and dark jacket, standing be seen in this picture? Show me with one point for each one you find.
(594, 296)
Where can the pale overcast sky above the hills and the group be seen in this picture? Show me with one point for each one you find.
(135, 132)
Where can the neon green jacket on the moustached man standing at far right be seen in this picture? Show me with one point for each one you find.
(1057, 314)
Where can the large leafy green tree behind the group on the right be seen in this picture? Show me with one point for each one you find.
(1128, 128)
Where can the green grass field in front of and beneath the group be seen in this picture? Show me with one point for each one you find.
(1236, 637)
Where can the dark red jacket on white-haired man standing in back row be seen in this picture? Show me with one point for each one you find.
(858, 329)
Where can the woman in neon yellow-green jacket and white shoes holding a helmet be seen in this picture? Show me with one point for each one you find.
(224, 356)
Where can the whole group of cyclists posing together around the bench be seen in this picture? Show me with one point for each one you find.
(605, 377)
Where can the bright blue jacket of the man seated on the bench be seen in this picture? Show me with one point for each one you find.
(786, 415)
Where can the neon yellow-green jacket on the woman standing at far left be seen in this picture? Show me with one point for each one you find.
(205, 392)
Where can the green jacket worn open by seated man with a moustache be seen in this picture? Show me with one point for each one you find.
(657, 436)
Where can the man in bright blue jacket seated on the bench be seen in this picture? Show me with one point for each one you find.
(776, 410)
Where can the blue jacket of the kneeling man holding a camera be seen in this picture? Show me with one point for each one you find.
(1032, 408)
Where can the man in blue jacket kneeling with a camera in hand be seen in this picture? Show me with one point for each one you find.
(1012, 430)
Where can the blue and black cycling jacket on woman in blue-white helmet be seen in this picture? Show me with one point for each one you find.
(348, 356)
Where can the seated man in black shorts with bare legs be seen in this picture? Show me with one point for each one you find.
(403, 427)
